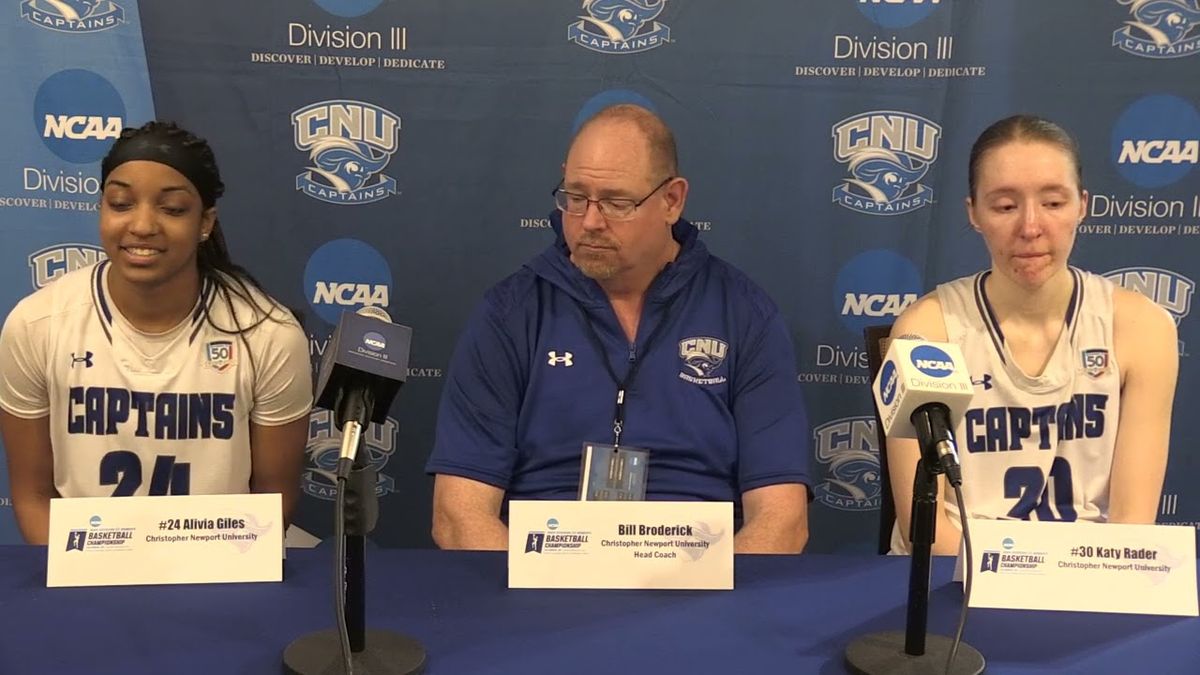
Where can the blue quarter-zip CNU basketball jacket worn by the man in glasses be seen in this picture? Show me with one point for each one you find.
(716, 402)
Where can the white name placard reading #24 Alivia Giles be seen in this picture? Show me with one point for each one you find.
(177, 540)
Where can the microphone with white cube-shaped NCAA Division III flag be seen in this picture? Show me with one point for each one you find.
(921, 389)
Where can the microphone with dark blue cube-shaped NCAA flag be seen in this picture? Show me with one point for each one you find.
(363, 368)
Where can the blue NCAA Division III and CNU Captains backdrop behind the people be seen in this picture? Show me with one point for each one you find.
(461, 111)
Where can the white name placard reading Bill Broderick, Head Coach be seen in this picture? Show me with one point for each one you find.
(621, 545)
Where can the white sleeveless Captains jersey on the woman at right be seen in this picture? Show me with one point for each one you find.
(1035, 449)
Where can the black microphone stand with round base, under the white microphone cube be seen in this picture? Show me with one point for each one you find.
(915, 652)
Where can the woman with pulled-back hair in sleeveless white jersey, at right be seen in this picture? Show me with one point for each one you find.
(1075, 377)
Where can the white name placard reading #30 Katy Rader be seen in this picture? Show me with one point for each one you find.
(1084, 568)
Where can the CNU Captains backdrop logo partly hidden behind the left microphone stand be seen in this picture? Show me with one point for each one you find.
(320, 479)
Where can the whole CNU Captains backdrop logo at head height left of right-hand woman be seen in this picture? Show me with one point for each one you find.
(886, 153)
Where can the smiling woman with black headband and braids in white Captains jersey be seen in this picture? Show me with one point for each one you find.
(163, 371)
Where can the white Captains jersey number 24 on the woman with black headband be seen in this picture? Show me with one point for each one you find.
(134, 414)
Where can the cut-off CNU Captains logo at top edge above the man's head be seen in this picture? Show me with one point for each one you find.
(620, 27)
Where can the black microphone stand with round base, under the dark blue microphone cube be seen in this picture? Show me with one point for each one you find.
(373, 653)
